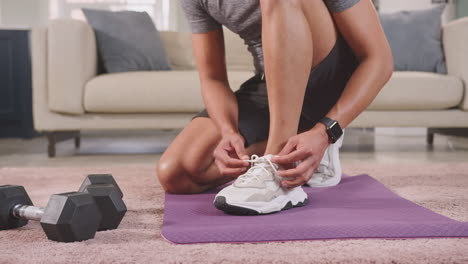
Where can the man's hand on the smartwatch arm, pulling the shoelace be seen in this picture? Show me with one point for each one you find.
(308, 148)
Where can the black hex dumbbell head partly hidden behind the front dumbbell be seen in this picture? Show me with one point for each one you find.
(108, 197)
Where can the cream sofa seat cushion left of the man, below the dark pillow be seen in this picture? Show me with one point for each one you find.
(150, 92)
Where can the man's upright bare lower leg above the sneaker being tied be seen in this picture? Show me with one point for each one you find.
(289, 29)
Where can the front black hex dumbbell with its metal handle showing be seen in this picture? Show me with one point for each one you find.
(68, 217)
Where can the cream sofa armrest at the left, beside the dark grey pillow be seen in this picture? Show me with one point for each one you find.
(72, 61)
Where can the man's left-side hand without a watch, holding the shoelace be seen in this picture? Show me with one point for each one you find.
(230, 155)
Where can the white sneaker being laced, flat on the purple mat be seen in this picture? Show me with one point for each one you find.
(258, 191)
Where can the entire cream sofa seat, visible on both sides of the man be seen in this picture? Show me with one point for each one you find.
(179, 91)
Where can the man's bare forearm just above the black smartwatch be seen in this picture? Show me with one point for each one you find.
(362, 88)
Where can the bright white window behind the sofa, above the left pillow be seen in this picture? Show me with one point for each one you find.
(157, 9)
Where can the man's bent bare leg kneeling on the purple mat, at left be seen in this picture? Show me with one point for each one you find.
(187, 166)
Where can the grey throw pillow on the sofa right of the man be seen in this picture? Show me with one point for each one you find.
(415, 38)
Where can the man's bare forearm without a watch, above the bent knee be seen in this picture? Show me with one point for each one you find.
(221, 105)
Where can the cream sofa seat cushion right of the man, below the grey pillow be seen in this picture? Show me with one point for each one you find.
(419, 91)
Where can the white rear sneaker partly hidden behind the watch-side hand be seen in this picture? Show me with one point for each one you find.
(329, 171)
